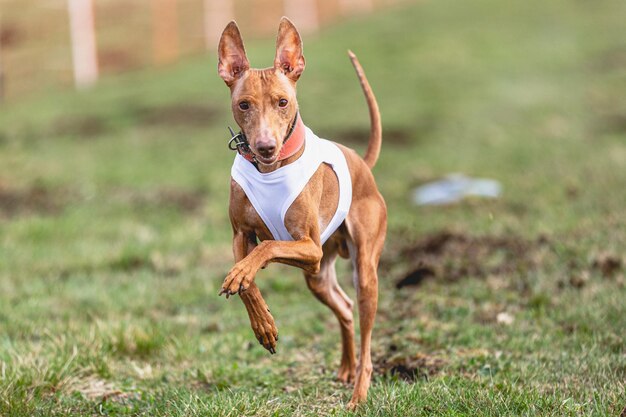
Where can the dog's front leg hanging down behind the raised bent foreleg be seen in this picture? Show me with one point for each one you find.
(261, 319)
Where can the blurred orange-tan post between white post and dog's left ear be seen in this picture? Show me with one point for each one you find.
(165, 31)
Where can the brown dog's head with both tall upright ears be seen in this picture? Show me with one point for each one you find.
(263, 100)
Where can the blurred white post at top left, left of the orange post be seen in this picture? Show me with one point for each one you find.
(83, 35)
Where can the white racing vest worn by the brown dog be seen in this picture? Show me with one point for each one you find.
(272, 193)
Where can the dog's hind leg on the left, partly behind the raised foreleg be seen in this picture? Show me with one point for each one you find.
(325, 287)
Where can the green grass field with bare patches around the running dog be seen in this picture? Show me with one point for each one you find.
(114, 234)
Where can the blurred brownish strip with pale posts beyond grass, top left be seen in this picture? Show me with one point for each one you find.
(57, 42)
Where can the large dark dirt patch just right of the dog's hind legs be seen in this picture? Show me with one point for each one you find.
(450, 256)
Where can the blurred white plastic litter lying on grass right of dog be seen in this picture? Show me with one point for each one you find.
(455, 187)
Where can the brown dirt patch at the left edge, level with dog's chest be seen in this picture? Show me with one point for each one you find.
(34, 200)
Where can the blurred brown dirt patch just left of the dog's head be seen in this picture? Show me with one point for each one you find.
(181, 114)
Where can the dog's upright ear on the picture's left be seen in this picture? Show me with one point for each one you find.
(232, 55)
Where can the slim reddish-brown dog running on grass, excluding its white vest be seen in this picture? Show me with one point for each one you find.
(264, 106)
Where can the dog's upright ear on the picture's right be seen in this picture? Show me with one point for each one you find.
(289, 58)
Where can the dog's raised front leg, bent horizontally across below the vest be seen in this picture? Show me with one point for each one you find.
(304, 253)
